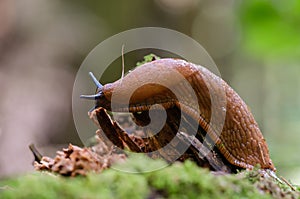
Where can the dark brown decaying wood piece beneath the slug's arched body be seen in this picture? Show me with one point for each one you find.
(156, 145)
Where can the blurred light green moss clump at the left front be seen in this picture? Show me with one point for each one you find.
(109, 184)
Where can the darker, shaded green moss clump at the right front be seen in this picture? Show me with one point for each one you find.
(190, 181)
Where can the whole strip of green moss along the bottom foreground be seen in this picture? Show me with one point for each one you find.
(176, 181)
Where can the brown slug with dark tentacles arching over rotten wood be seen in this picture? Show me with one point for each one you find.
(240, 141)
